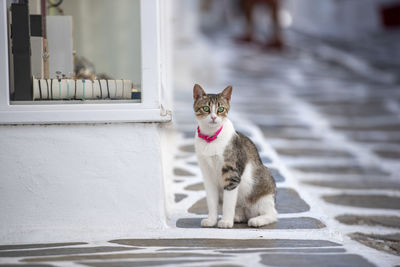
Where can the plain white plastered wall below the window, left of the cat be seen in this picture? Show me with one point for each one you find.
(80, 182)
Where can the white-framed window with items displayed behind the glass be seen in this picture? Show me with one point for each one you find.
(85, 61)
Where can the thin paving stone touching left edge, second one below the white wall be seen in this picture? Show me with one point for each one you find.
(61, 251)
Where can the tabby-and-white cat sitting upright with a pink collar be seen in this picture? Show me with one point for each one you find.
(231, 166)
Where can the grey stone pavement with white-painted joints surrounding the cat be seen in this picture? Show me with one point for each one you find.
(332, 142)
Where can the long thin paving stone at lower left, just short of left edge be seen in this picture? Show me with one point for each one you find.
(124, 256)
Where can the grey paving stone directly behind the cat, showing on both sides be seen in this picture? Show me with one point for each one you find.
(287, 201)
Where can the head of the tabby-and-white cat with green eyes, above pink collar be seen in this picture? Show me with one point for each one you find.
(211, 109)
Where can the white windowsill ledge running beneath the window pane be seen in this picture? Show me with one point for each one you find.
(98, 115)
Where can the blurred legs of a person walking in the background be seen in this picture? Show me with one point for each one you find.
(248, 6)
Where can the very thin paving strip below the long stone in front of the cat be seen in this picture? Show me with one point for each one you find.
(286, 250)
